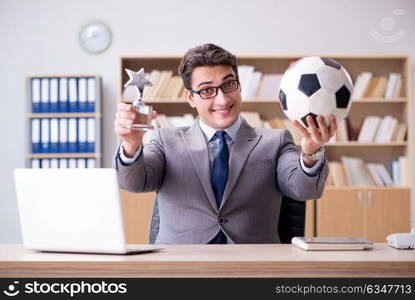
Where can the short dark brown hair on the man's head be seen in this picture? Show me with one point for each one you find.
(205, 55)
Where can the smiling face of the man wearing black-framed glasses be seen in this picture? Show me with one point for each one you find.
(222, 110)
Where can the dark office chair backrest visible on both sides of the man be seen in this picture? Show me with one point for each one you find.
(290, 223)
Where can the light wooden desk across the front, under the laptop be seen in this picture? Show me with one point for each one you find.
(268, 260)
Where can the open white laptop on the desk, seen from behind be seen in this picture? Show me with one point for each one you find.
(72, 210)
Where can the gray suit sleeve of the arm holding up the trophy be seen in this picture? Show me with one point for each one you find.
(146, 173)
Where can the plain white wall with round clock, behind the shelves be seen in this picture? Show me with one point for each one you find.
(40, 37)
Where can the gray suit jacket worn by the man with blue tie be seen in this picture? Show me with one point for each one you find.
(263, 165)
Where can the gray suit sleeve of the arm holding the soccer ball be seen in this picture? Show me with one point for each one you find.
(291, 179)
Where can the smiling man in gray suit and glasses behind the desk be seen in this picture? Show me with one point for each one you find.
(220, 180)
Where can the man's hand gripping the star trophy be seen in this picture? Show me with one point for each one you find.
(132, 139)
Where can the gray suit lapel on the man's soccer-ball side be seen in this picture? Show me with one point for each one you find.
(246, 140)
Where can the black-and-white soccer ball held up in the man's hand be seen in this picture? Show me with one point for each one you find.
(315, 86)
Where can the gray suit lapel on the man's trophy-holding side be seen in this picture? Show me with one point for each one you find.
(197, 147)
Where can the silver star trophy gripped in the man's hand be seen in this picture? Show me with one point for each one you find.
(137, 79)
